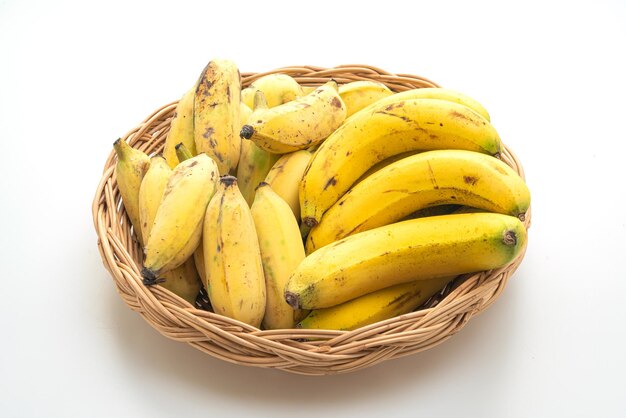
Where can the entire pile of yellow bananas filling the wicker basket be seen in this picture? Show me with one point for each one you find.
(325, 207)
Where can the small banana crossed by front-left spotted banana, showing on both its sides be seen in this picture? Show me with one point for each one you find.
(182, 280)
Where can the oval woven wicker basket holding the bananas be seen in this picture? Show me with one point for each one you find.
(311, 352)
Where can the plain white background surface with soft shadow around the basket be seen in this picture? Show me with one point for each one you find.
(74, 76)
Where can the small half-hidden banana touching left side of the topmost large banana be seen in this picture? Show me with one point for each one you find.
(286, 175)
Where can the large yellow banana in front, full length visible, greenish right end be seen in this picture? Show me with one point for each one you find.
(416, 249)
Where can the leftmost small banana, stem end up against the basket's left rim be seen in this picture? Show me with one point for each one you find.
(130, 168)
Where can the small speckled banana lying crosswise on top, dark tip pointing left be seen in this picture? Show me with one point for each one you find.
(298, 124)
